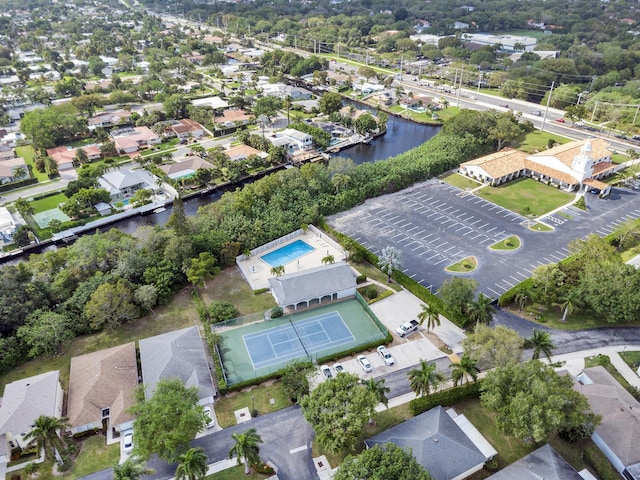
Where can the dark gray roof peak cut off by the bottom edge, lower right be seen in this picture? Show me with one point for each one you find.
(544, 462)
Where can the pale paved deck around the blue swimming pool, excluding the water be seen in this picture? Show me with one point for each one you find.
(257, 272)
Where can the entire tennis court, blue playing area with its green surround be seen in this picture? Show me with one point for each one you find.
(264, 347)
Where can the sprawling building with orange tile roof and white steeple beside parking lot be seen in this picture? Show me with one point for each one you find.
(569, 167)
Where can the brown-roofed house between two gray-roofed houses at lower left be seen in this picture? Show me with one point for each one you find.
(102, 388)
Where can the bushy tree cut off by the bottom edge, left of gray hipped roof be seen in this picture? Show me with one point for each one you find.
(387, 461)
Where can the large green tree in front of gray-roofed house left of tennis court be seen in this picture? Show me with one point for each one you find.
(167, 421)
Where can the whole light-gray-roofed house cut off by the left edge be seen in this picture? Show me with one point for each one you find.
(23, 402)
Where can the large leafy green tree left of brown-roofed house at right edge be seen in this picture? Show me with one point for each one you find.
(532, 402)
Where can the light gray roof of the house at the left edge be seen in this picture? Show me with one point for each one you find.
(25, 400)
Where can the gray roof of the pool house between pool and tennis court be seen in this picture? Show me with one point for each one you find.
(317, 282)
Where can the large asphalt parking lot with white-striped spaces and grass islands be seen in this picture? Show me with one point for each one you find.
(435, 225)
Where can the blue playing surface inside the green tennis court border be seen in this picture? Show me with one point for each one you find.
(297, 339)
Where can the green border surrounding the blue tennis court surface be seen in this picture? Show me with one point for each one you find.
(237, 363)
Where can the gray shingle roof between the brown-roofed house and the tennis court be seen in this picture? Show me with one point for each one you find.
(178, 354)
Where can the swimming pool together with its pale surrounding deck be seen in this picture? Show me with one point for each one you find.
(298, 251)
